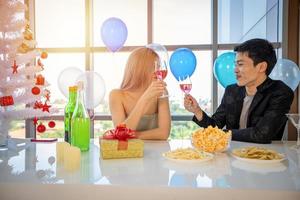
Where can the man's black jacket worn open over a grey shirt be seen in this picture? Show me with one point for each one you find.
(266, 118)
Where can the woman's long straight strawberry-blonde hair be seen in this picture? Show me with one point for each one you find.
(139, 69)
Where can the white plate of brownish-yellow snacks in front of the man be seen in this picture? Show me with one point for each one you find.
(257, 154)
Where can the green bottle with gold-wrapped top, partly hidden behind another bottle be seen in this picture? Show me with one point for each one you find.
(69, 109)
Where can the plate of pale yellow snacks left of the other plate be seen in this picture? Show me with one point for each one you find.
(187, 155)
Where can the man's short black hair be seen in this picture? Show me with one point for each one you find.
(259, 50)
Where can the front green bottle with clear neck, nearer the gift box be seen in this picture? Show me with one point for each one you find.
(80, 123)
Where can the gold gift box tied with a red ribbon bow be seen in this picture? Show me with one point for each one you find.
(121, 142)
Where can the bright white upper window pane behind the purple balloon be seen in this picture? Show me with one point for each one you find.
(132, 12)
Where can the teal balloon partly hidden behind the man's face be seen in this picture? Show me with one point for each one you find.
(224, 69)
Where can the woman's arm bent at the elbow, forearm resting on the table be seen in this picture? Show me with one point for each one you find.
(164, 123)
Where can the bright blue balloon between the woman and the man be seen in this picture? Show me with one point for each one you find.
(182, 63)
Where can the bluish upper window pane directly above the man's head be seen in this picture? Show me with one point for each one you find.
(235, 25)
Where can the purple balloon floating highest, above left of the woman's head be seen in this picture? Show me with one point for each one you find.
(113, 33)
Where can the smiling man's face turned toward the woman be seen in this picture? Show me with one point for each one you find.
(245, 71)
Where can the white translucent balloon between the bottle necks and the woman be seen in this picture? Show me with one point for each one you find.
(94, 88)
